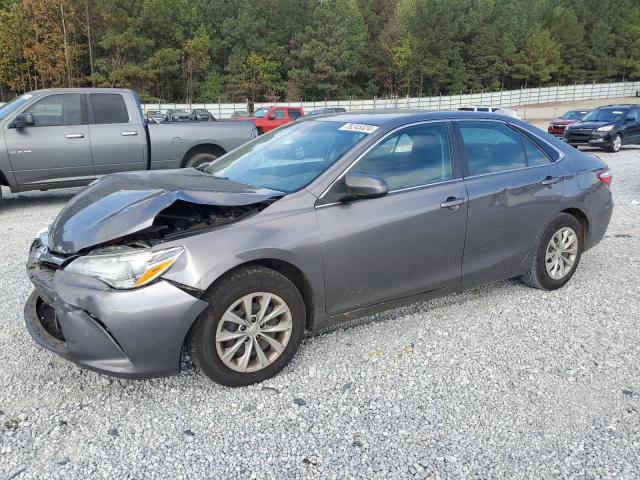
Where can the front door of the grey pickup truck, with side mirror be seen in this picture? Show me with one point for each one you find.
(57, 147)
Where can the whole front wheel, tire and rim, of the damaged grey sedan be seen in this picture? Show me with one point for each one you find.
(252, 328)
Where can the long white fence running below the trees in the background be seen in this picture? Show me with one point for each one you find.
(506, 98)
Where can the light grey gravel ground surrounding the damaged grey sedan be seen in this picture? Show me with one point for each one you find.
(499, 381)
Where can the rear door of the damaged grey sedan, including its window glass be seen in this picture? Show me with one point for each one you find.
(514, 187)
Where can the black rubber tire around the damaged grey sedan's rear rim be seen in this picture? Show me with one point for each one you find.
(537, 276)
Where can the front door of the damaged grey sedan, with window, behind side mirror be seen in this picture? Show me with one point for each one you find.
(407, 242)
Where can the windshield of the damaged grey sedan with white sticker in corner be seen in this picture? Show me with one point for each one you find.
(290, 157)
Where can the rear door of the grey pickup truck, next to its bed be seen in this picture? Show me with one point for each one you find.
(117, 138)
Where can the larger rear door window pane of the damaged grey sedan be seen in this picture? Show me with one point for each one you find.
(491, 147)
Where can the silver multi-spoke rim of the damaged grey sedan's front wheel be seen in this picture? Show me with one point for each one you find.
(253, 332)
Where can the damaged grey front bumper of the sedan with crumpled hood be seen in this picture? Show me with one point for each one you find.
(127, 333)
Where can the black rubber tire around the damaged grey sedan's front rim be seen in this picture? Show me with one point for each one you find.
(238, 284)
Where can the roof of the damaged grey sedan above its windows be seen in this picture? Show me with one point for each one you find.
(398, 117)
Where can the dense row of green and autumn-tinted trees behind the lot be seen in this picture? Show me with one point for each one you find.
(233, 50)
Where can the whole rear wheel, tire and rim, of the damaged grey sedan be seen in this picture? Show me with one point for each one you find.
(557, 254)
